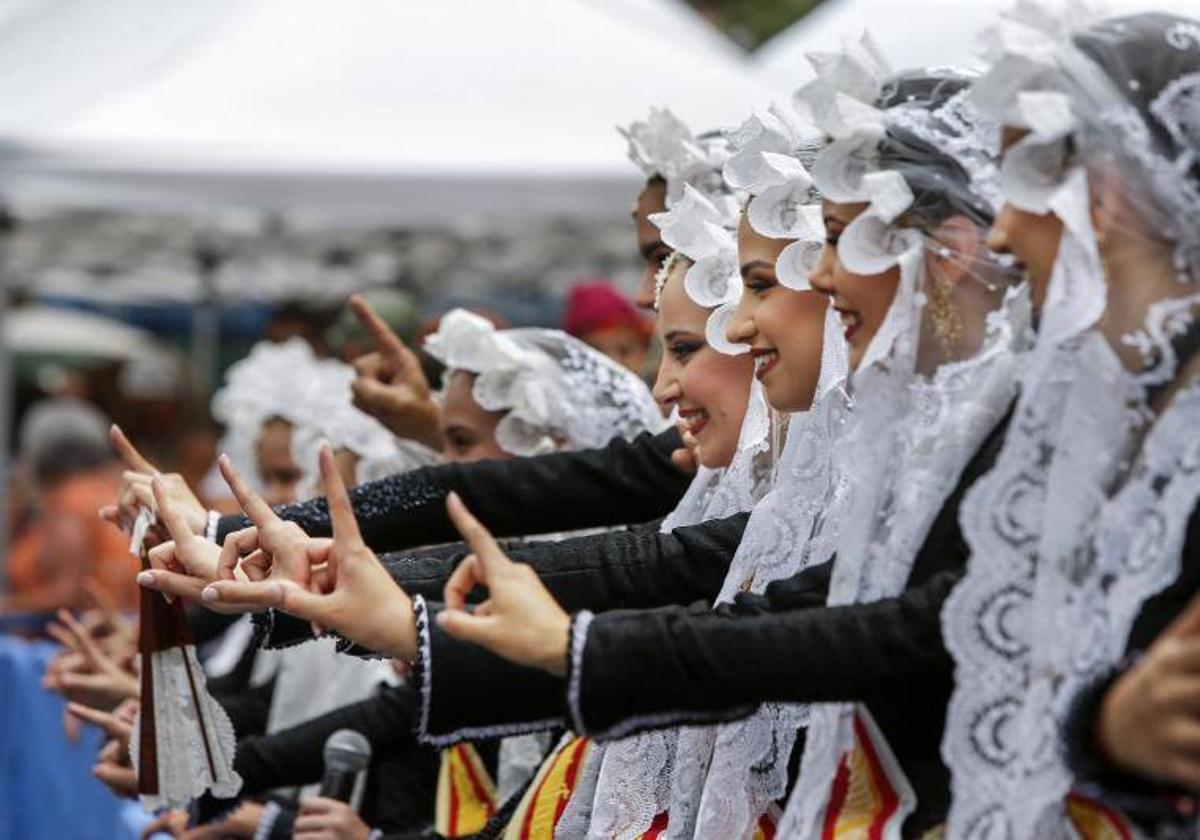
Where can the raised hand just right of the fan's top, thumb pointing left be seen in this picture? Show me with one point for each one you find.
(185, 565)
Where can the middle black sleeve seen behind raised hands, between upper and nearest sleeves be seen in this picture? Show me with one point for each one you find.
(601, 572)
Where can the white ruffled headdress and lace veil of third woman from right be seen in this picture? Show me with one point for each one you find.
(742, 767)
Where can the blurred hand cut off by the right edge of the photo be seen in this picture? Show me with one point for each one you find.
(1150, 717)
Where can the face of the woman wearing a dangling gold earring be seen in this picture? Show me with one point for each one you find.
(862, 301)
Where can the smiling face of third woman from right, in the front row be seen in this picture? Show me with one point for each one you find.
(784, 328)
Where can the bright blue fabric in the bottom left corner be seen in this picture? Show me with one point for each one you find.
(46, 784)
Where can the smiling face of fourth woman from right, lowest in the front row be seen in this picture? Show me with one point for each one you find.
(709, 388)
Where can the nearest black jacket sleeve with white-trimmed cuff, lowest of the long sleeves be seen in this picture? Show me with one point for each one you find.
(721, 665)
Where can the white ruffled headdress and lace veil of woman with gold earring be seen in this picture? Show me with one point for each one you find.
(941, 371)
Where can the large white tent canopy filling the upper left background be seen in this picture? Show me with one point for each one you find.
(364, 111)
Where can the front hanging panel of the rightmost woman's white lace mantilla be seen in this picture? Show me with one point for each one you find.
(1028, 525)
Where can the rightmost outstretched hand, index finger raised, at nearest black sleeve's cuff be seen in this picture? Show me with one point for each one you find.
(520, 620)
